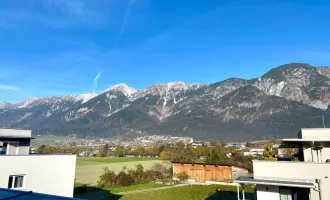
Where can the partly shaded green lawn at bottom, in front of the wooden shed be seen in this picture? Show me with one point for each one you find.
(194, 192)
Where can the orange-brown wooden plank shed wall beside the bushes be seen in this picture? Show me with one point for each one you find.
(201, 172)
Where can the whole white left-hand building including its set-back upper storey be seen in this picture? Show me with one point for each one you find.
(41, 173)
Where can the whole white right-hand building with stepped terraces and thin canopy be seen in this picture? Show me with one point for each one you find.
(307, 179)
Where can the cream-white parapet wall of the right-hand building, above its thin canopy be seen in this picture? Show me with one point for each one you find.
(296, 170)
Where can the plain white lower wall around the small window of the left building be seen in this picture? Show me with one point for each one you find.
(48, 174)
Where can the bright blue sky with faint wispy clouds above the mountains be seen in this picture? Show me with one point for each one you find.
(59, 47)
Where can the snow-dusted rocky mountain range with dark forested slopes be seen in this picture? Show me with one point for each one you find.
(276, 104)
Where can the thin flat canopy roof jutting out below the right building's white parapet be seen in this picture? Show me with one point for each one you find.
(252, 180)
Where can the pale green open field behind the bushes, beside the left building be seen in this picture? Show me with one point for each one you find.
(88, 169)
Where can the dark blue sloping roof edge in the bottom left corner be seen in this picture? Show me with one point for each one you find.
(23, 195)
